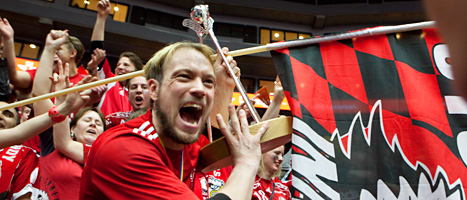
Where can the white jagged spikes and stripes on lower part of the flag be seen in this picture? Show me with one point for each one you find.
(322, 152)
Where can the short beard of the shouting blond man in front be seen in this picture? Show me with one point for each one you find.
(166, 126)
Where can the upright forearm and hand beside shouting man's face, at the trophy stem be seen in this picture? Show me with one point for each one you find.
(224, 88)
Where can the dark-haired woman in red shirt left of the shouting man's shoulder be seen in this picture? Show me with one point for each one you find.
(61, 169)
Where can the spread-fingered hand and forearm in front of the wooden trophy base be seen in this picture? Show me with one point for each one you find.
(246, 154)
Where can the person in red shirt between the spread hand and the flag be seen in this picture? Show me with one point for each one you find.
(267, 185)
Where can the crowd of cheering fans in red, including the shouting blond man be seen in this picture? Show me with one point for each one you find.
(152, 126)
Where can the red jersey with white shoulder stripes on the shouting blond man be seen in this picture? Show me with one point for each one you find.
(128, 161)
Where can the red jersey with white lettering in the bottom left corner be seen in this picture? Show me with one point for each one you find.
(18, 172)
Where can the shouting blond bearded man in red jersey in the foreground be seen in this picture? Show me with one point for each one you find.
(155, 155)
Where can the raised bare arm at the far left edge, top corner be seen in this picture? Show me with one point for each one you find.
(19, 79)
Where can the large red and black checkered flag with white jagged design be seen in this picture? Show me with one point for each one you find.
(375, 118)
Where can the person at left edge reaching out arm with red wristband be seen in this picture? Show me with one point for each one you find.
(19, 164)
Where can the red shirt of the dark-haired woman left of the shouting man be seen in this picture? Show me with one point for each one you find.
(60, 176)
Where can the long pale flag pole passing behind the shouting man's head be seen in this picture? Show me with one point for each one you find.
(247, 51)
